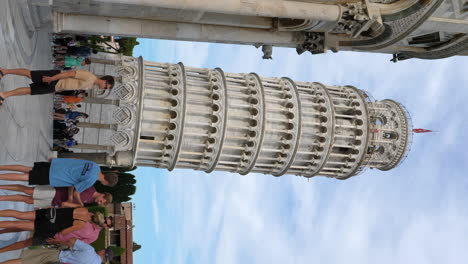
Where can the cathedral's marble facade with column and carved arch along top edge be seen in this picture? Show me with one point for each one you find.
(427, 29)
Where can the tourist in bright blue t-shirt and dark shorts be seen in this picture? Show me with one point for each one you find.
(73, 173)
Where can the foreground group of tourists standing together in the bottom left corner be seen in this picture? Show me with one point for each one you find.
(62, 188)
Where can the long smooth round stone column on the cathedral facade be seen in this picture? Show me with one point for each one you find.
(118, 26)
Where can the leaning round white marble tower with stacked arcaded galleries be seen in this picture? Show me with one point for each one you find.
(173, 116)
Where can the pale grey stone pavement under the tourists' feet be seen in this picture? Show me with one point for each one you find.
(25, 122)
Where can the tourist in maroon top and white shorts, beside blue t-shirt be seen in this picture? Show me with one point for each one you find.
(46, 196)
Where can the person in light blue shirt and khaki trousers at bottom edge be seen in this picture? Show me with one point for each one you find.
(78, 253)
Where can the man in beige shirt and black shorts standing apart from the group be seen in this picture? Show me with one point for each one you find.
(44, 82)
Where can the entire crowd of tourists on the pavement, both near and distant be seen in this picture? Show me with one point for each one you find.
(59, 189)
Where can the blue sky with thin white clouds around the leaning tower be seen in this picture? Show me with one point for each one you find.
(415, 213)
